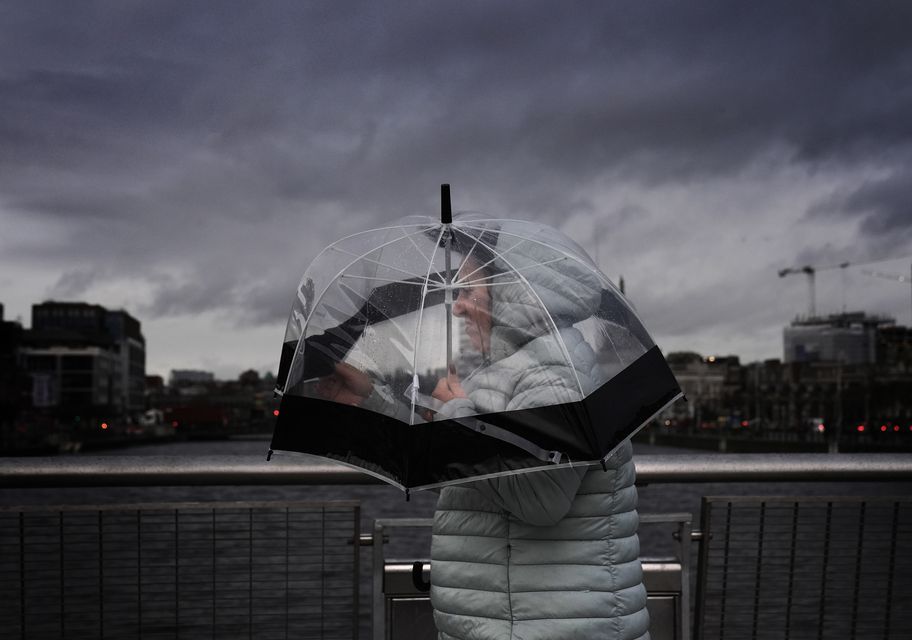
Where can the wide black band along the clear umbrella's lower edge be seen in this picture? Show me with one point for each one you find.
(446, 451)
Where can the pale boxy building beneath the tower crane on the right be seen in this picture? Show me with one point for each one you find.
(849, 338)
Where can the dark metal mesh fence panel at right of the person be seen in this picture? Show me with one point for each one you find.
(808, 567)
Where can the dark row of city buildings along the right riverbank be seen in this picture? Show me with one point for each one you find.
(843, 373)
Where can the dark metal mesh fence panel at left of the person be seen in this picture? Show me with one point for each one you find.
(168, 570)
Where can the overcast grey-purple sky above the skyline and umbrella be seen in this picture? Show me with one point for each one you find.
(186, 161)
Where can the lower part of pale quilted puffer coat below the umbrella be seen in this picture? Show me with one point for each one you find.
(540, 556)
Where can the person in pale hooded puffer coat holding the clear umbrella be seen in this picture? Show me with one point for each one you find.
(546, 555)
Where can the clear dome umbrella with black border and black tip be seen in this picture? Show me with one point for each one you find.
(436, 351)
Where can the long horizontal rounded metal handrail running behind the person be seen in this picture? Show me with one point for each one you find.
(139, 471)
